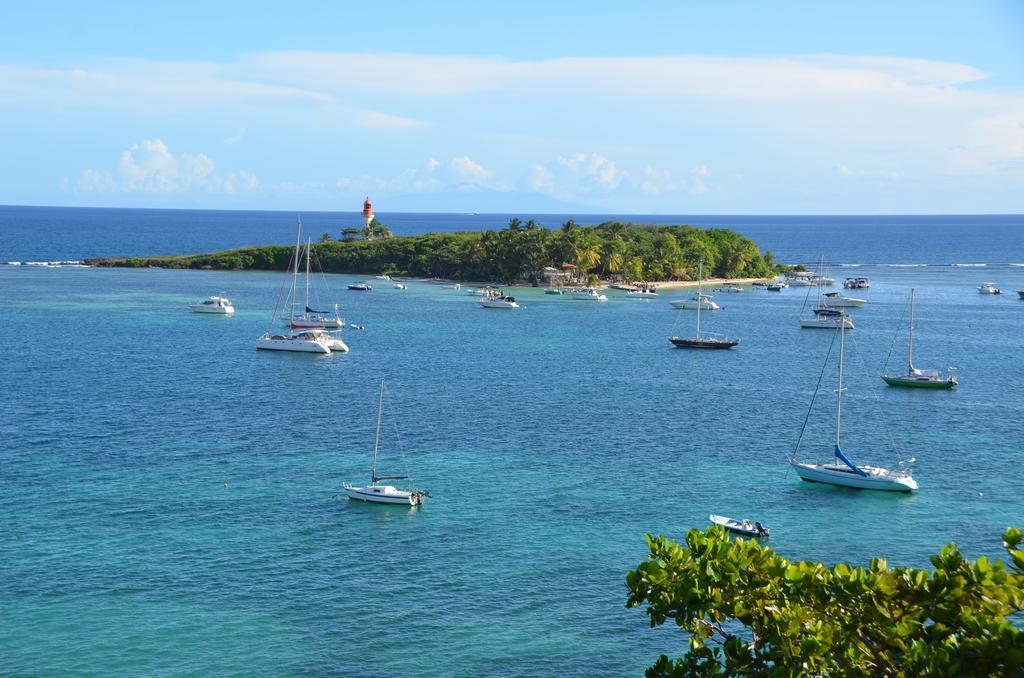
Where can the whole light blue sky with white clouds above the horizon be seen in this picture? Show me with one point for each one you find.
(691, 108)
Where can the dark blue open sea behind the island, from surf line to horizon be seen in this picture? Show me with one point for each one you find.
(33, 234)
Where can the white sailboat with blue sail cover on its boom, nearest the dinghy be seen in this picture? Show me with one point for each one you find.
(844, 473)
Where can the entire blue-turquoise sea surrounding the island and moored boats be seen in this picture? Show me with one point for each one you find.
(170, 498)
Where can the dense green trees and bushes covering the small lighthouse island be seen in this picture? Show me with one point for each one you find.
(520, 253)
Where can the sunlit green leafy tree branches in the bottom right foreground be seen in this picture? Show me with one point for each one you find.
(749, 611)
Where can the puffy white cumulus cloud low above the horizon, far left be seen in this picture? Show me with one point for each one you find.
(151, 167)
